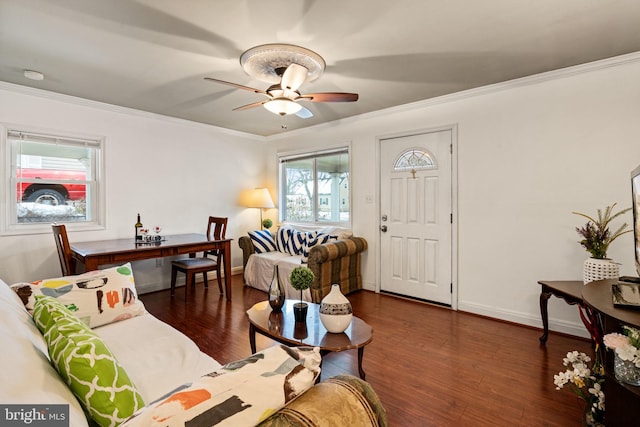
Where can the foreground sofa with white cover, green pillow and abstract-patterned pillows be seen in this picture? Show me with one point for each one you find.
(87, 342)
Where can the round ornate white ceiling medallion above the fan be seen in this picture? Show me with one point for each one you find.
(261, 62)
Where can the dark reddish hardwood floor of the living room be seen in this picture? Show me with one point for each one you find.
(431, 366)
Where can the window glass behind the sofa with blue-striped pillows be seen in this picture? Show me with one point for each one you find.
(315, 187)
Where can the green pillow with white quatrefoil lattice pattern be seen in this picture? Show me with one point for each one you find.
(86, 364)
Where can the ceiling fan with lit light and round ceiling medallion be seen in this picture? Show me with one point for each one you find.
(275, 63)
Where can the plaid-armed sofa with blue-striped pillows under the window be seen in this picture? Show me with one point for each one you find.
(332, 253)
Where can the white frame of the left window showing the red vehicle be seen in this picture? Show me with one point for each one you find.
(8, 209)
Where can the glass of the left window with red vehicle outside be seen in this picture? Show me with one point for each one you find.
(53, 181)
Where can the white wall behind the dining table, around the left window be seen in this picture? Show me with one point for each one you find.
(175, 173)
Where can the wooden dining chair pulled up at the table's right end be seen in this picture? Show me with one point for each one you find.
(216, 230)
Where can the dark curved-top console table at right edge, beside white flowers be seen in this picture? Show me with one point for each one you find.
(622, 400)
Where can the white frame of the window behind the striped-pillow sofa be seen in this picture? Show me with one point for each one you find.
(282, 157)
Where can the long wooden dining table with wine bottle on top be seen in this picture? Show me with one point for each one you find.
(103, 252)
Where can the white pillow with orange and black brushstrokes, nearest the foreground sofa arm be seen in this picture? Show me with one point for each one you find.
(242, 393)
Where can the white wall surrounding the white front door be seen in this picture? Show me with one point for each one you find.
(529, 152)
